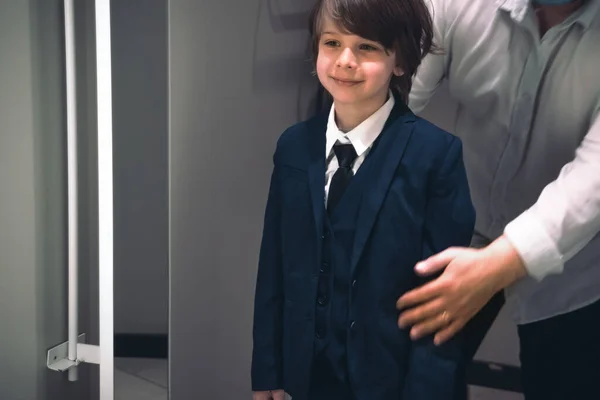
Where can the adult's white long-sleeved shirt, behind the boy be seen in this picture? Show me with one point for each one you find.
(528, 118)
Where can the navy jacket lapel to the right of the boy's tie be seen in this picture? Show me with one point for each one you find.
(389, 151)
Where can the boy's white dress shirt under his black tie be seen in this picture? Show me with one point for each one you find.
(361, 138)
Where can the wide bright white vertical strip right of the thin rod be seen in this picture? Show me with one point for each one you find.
(105, 198)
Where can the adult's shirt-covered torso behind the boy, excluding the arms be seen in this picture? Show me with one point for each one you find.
(524, 105)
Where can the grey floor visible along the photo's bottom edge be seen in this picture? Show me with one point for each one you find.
(146, 379)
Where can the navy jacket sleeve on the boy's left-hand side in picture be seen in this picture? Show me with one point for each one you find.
(266, 370)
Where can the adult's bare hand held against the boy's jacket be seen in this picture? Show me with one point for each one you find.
(470, 279)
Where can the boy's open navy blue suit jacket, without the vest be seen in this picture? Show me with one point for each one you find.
(418, 204)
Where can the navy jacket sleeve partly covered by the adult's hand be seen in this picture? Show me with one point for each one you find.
(435, 371)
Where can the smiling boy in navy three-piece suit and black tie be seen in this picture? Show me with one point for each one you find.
(358, 196)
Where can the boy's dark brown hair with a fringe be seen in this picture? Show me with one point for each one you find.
(404, 26)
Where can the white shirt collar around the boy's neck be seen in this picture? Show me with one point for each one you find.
(363, 136)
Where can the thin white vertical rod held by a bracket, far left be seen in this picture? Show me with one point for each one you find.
(72, 184)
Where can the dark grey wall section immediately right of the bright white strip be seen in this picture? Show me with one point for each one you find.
(140, 142)
